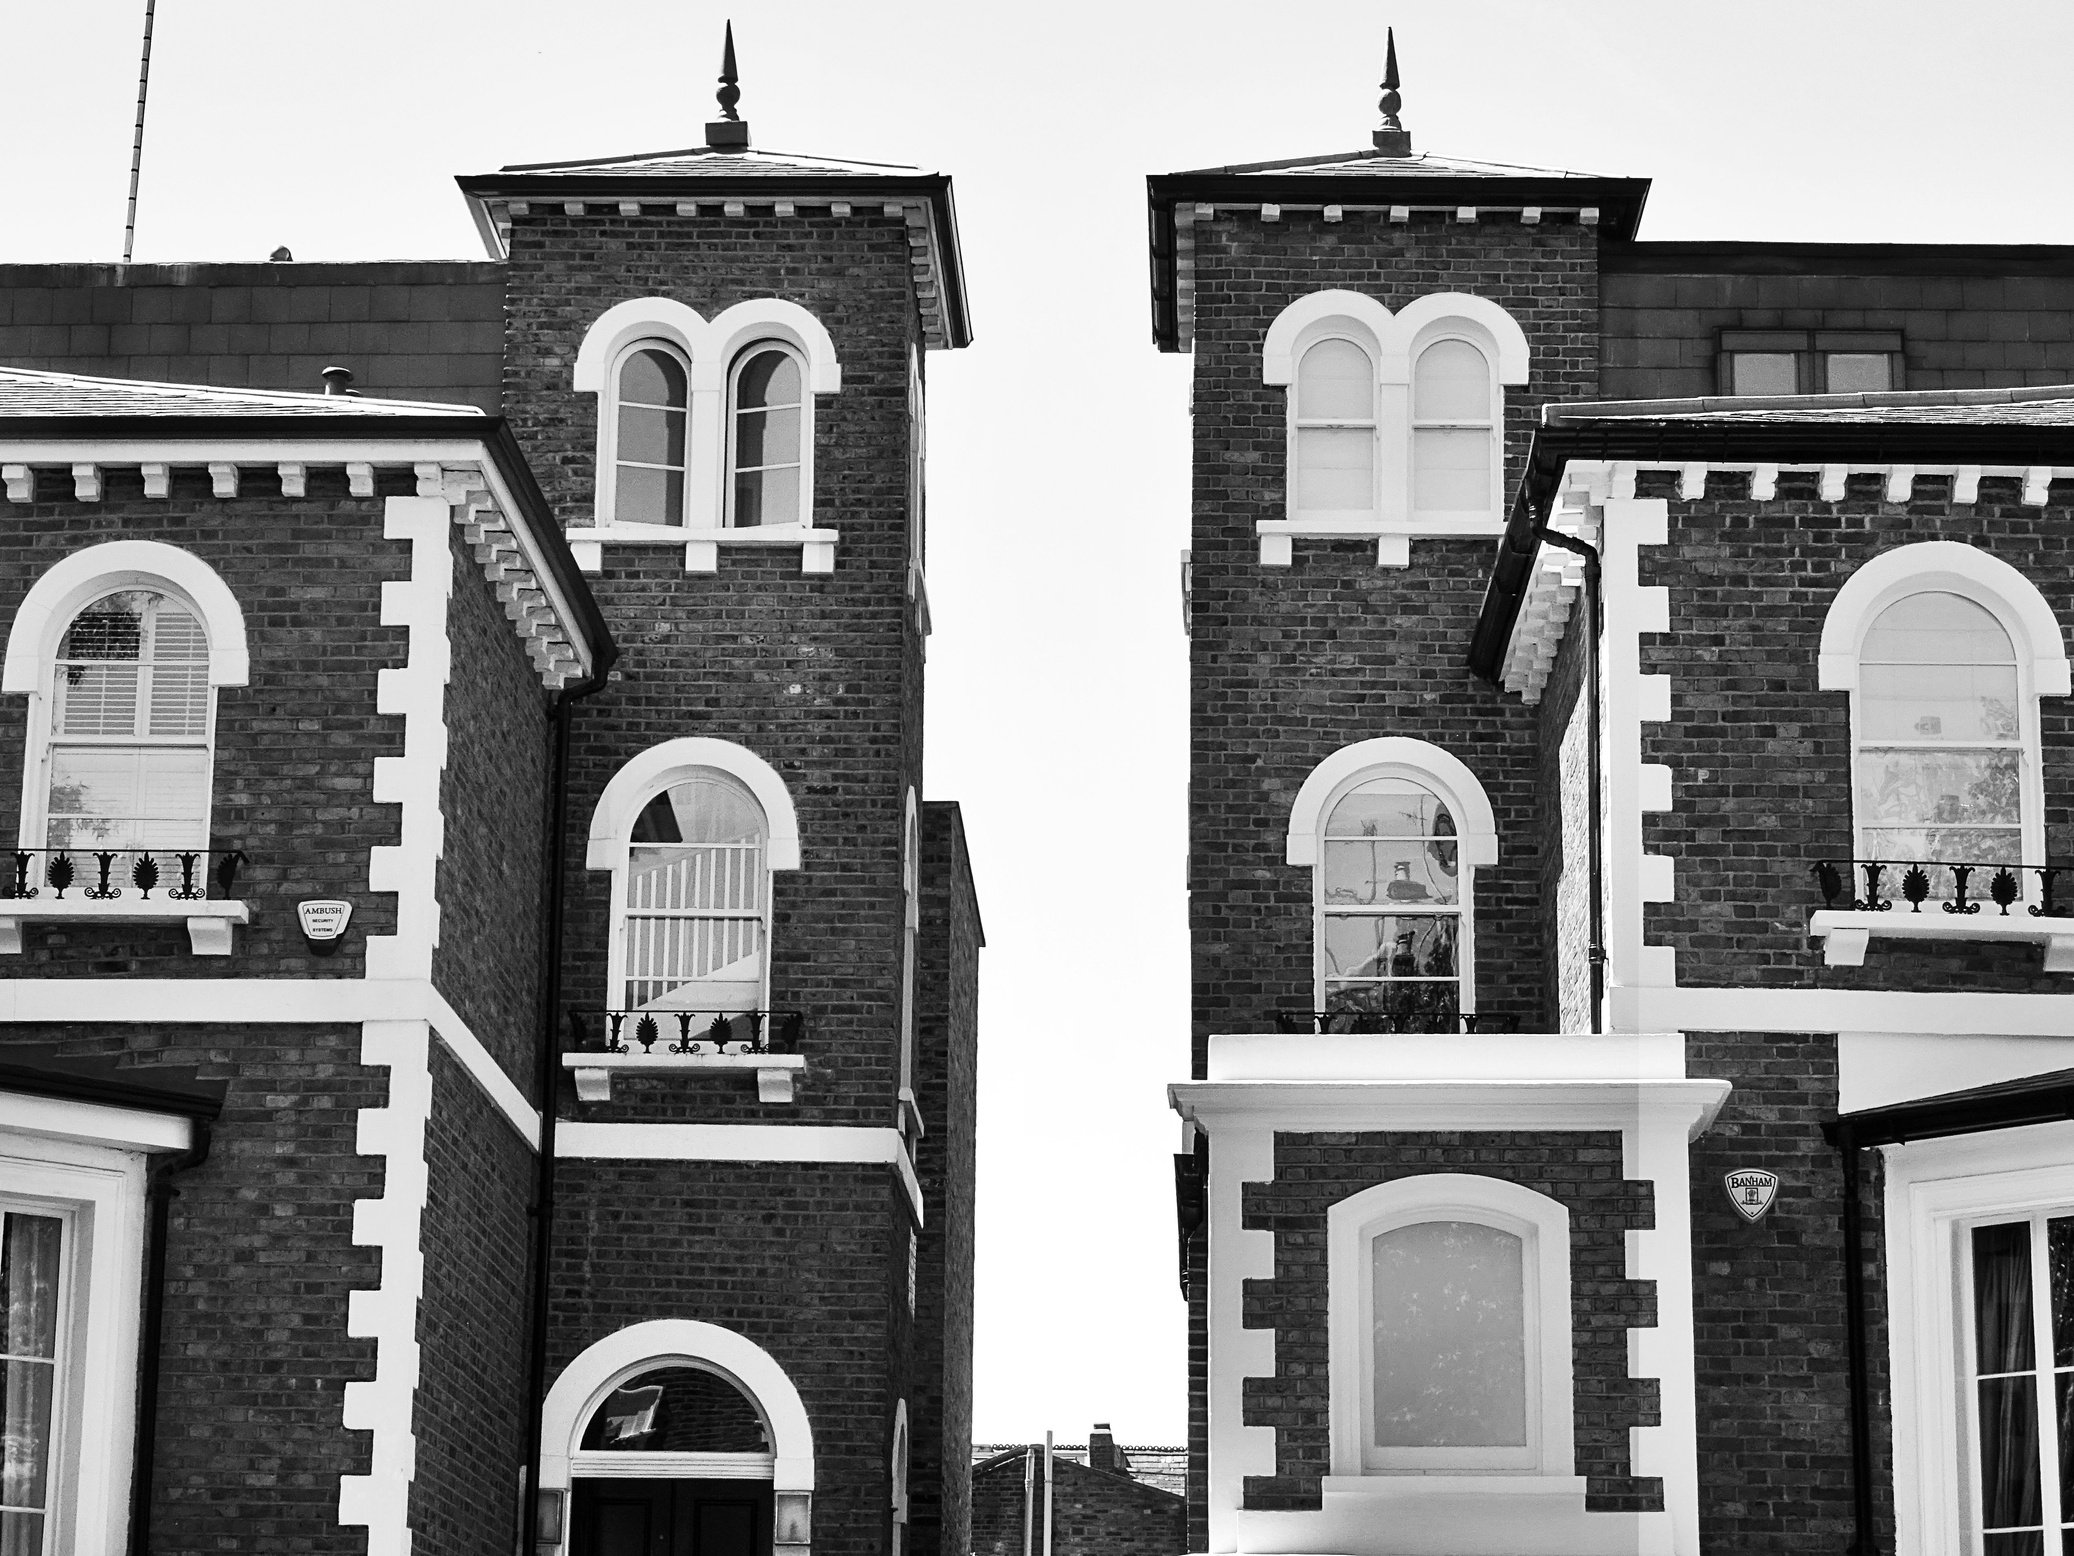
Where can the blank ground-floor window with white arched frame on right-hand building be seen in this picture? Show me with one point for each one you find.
(1449, 1306)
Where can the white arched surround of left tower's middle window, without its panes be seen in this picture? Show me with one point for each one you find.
(654, 773)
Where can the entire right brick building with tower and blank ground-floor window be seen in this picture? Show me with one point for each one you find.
(1631, 762)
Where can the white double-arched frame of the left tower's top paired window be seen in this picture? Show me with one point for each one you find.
(712, 350)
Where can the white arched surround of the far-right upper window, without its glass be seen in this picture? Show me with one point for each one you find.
(2019, 609)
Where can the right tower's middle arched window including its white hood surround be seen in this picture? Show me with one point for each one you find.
(1393, 831)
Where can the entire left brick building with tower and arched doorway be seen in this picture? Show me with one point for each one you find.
(486, 1013)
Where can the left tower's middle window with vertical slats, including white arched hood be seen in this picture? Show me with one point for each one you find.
(692, 833)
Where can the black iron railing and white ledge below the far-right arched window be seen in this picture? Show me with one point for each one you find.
(1940, 901)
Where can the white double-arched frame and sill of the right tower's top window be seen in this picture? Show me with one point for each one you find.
(1395, 343)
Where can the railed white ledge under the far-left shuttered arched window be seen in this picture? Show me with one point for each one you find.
(123, 887)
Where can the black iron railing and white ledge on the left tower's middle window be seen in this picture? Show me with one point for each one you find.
(764, 1043)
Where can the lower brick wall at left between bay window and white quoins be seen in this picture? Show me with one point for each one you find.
(260, 1258)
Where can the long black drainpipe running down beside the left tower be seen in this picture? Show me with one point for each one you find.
(549, 1080)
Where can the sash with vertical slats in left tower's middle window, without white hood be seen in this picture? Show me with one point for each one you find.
(696, 908)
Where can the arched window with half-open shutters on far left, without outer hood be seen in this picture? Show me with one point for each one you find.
(132, 715)
